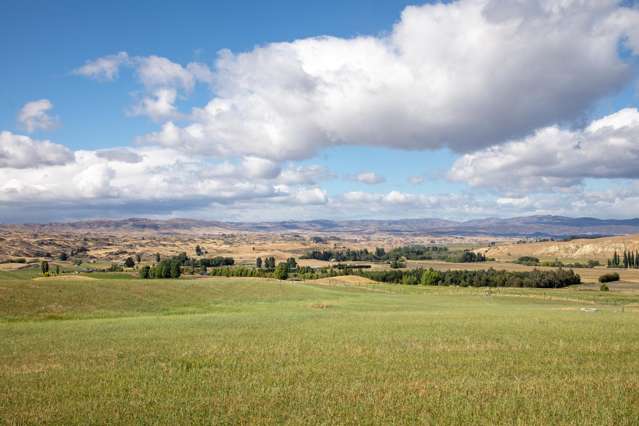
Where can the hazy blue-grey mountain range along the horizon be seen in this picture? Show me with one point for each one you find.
(528, 226)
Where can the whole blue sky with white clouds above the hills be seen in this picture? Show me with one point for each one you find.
(241, 110)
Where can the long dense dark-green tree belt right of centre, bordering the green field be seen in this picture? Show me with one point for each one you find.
(482, 278)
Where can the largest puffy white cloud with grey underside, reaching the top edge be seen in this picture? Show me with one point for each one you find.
(463, 75)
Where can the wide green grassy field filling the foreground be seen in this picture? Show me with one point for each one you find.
(263, 352)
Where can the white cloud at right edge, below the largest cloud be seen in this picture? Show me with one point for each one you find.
(556, 157)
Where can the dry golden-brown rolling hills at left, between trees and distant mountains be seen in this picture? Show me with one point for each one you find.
(116, 245)
